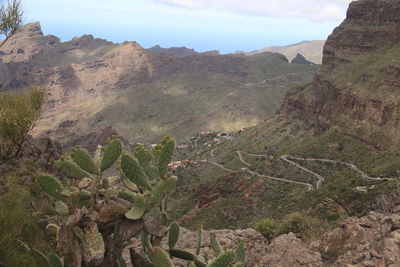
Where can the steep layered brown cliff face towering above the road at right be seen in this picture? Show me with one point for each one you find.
(357, 89)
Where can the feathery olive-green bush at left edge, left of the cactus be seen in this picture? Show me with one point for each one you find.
(19, 112)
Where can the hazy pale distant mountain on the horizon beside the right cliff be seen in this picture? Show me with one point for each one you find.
(311, 50)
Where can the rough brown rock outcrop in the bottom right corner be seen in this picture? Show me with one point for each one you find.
(373, 240)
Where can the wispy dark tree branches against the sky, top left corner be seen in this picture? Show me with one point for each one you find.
(11, 16)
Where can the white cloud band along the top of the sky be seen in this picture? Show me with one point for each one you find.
(317, 10)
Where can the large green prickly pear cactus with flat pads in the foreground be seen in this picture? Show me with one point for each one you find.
(98, 215)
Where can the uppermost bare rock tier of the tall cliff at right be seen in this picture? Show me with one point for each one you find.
(370, 24)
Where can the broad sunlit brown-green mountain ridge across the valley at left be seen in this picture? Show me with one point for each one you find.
(92, 84)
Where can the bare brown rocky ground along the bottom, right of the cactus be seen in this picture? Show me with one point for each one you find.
(372, 240)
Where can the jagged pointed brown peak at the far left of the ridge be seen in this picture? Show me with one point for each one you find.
(25, 43)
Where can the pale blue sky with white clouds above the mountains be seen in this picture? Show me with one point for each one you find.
(224, 25)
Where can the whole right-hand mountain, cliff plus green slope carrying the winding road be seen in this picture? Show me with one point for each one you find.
(333, 148)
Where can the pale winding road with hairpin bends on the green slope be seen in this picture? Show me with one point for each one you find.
(289, 159)
